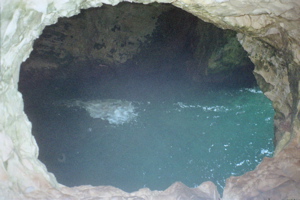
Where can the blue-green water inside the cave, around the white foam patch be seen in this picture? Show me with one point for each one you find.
(181, 132)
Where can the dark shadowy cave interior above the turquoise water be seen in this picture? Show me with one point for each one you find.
(144, 40)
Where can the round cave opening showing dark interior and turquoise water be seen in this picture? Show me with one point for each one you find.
(179, 102)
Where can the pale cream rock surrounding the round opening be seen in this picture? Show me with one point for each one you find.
(268, 31)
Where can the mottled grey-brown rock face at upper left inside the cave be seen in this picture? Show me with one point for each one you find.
(98, 34)
